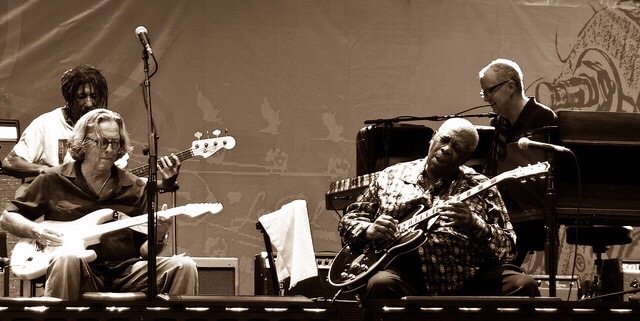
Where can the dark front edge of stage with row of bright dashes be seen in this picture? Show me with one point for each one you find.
(263, 308)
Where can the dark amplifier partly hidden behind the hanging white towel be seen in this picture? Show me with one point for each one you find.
(312, 288)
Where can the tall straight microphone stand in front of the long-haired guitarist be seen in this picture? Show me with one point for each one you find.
(151, 185)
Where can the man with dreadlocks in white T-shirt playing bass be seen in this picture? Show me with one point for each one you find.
(44, 142)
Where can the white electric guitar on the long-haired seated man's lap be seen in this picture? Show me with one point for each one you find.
(30, 259)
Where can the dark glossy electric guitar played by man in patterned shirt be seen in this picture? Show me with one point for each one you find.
(351, 269)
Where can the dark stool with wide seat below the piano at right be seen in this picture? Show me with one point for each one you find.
(599, 237)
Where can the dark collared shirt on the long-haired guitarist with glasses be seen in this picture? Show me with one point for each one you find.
(62, 194)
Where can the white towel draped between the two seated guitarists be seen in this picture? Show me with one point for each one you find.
(288, 229)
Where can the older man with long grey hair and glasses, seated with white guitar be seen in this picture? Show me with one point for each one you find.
(73, 190)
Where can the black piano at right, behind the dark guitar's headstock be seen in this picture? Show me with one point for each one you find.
(606, 146)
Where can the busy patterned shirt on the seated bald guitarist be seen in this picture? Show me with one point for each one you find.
(450, 256)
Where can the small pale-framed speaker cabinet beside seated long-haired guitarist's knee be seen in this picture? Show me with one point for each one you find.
(217, 275)
